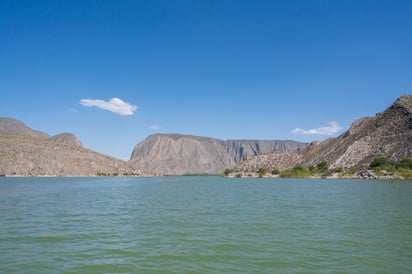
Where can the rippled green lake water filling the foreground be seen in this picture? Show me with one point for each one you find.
(204, 225)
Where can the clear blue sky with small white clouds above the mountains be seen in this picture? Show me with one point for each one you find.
(225, 69)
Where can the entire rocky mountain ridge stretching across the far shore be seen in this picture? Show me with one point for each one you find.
(28, 152)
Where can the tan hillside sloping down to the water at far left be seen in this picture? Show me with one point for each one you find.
(28, 152)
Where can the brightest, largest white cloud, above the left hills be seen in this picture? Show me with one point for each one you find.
(115, 105)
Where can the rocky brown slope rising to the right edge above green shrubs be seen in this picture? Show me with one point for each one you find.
(387, 134)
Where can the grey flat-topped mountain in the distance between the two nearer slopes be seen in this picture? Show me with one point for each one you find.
(177, 154)
